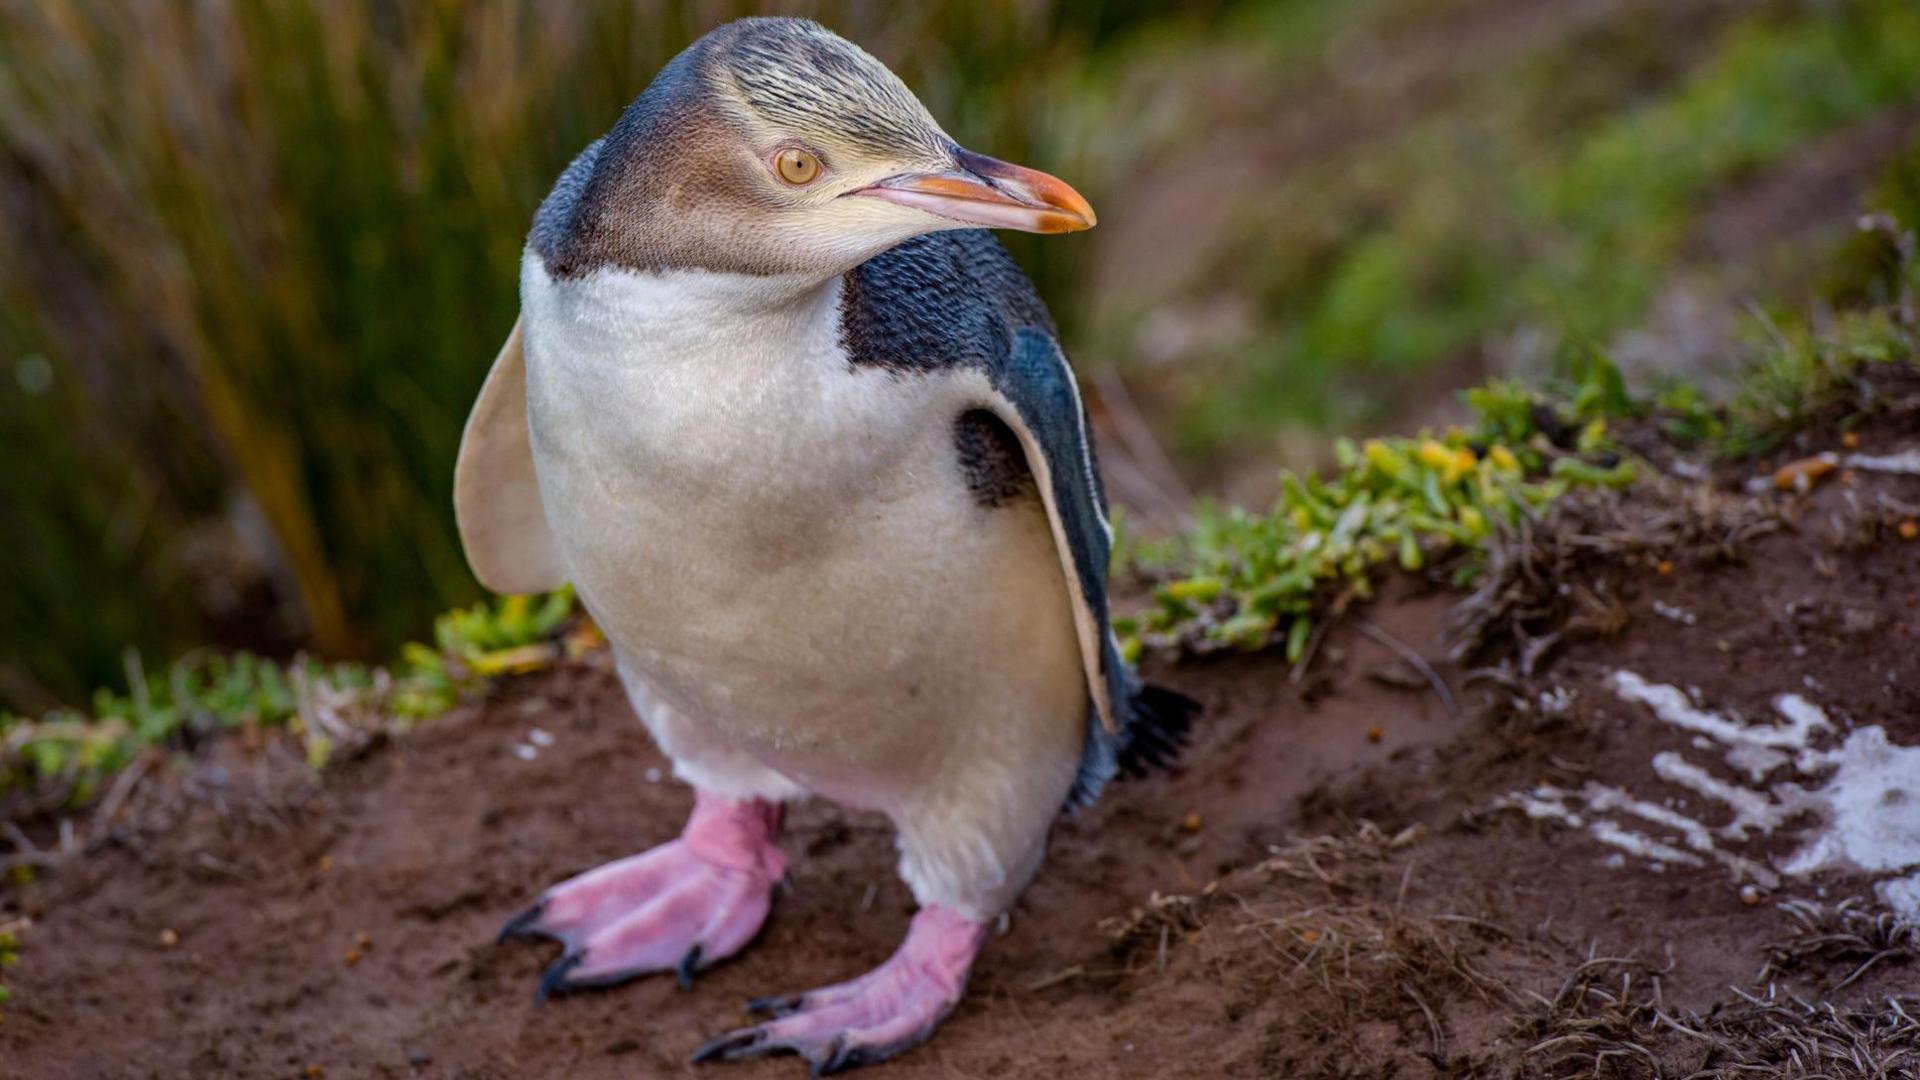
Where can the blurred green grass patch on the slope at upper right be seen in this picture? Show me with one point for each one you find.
(1550, 193)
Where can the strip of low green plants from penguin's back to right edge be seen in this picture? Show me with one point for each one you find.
(1241, 579)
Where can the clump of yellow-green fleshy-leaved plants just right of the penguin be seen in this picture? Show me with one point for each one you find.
(1251, 579)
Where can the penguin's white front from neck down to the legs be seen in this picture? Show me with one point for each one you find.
(784, 551)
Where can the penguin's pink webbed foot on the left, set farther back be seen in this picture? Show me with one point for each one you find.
(679, 908)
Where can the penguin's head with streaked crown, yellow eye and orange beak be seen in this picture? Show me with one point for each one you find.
(777, 147)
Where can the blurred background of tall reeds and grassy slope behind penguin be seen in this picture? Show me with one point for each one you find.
(256, 257)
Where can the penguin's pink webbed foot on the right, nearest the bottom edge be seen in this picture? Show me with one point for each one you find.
(875, 1018)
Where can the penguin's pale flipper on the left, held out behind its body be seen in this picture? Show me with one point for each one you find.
(496, 497)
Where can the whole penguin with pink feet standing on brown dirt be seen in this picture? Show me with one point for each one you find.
(804, 441)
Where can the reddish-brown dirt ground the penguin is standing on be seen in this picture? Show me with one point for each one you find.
(1349, 873)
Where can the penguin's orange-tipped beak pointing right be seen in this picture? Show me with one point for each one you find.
(990, 193)
